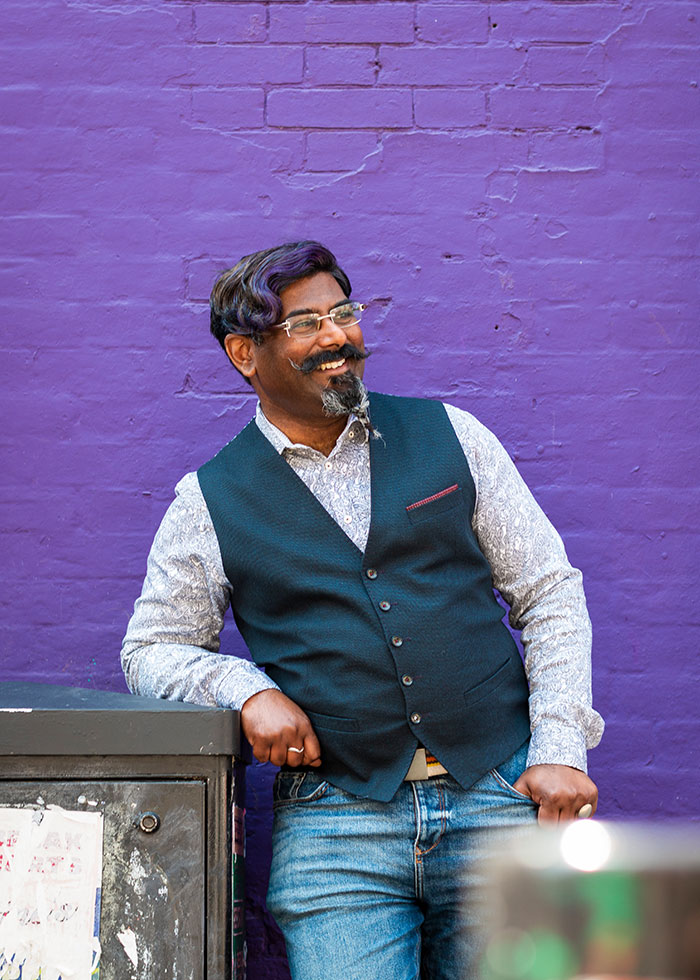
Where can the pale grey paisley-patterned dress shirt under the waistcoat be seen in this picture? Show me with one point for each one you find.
(171, 649)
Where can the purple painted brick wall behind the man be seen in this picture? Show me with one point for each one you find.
(514, 187)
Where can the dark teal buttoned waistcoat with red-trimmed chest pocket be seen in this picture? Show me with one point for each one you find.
(400, 646)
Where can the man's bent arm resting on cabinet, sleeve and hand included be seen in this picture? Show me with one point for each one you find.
(171, 649)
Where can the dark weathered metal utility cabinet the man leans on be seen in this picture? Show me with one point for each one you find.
(162, 774)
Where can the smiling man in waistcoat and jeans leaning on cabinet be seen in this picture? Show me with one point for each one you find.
(358, 539)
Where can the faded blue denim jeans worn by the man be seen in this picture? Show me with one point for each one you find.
(387, 891)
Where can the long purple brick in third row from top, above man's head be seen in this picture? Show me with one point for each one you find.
(333, 109)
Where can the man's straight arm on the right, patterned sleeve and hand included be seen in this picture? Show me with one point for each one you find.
(532, 573)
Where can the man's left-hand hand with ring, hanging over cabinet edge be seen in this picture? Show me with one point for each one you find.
(274, 724)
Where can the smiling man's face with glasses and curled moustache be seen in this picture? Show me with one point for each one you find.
(286, 390)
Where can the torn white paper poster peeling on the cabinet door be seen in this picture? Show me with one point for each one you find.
(50, 887)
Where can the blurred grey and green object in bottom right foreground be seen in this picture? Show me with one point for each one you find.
(596, 901)
